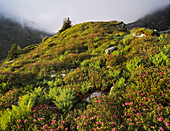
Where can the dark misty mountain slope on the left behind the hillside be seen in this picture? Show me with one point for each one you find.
(12, 32)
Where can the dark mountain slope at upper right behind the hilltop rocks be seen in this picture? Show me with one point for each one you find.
(159, 20)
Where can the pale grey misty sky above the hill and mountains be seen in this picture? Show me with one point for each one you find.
(49, 14)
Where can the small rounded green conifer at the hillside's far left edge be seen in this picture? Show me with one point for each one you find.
(14, 52)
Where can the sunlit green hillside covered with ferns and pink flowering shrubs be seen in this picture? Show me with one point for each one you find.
(46, 87)
